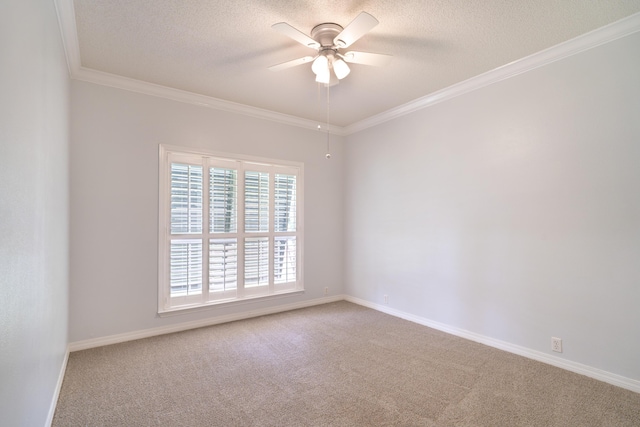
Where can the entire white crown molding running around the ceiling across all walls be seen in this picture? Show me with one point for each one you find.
(608, 33)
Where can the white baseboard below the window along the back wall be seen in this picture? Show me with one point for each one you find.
(146, 333)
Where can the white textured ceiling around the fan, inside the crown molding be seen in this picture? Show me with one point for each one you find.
(222, 48)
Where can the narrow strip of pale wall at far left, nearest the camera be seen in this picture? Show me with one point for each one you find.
(34, 109)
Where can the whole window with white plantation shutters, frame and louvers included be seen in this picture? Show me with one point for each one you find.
(230, 228)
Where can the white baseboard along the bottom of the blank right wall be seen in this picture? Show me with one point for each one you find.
(578, 368)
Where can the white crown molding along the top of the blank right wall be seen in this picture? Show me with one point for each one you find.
(597, 37)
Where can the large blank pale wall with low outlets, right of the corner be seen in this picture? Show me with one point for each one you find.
(512, 211)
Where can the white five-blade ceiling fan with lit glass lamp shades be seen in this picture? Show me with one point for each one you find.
(328, 39)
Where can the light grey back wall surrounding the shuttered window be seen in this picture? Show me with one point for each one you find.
(114, 203)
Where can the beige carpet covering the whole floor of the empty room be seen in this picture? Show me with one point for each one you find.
(337, 364)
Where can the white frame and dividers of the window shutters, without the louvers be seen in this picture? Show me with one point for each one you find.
(173, 154)
